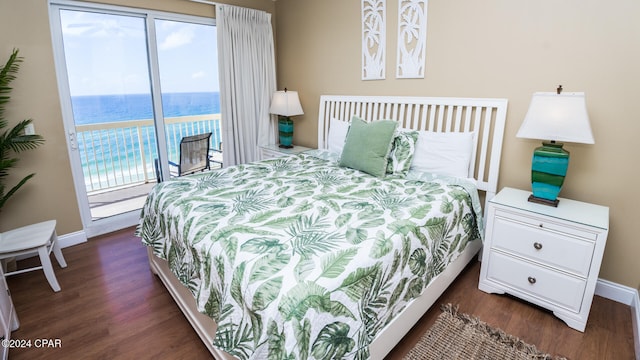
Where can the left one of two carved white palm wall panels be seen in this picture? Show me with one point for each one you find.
(374, 17)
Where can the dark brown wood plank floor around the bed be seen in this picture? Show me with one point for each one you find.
(112, 307)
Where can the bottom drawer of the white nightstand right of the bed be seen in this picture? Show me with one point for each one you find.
(539, 282)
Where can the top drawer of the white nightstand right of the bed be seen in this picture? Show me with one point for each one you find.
(550, 247)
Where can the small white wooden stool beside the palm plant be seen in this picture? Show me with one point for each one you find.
(41, 239)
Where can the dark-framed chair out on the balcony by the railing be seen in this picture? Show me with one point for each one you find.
(194, 155)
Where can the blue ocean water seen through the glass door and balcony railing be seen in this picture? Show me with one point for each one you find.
(124, 155)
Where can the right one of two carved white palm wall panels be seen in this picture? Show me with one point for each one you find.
(412, 38)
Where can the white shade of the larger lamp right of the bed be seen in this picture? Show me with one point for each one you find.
(559, 117)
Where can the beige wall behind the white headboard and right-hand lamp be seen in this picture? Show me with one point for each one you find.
(506, 49)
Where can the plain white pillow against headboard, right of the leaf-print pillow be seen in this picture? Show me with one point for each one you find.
(444, 153)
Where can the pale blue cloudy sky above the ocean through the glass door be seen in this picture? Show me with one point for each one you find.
(107, 54)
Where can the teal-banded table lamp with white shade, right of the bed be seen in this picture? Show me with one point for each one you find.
(554, 117)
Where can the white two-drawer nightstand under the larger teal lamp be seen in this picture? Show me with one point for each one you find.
(545, 255)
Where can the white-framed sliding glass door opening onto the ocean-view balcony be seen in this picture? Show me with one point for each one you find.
(132, 83)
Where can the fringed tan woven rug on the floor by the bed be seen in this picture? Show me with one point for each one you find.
(460, 336)
